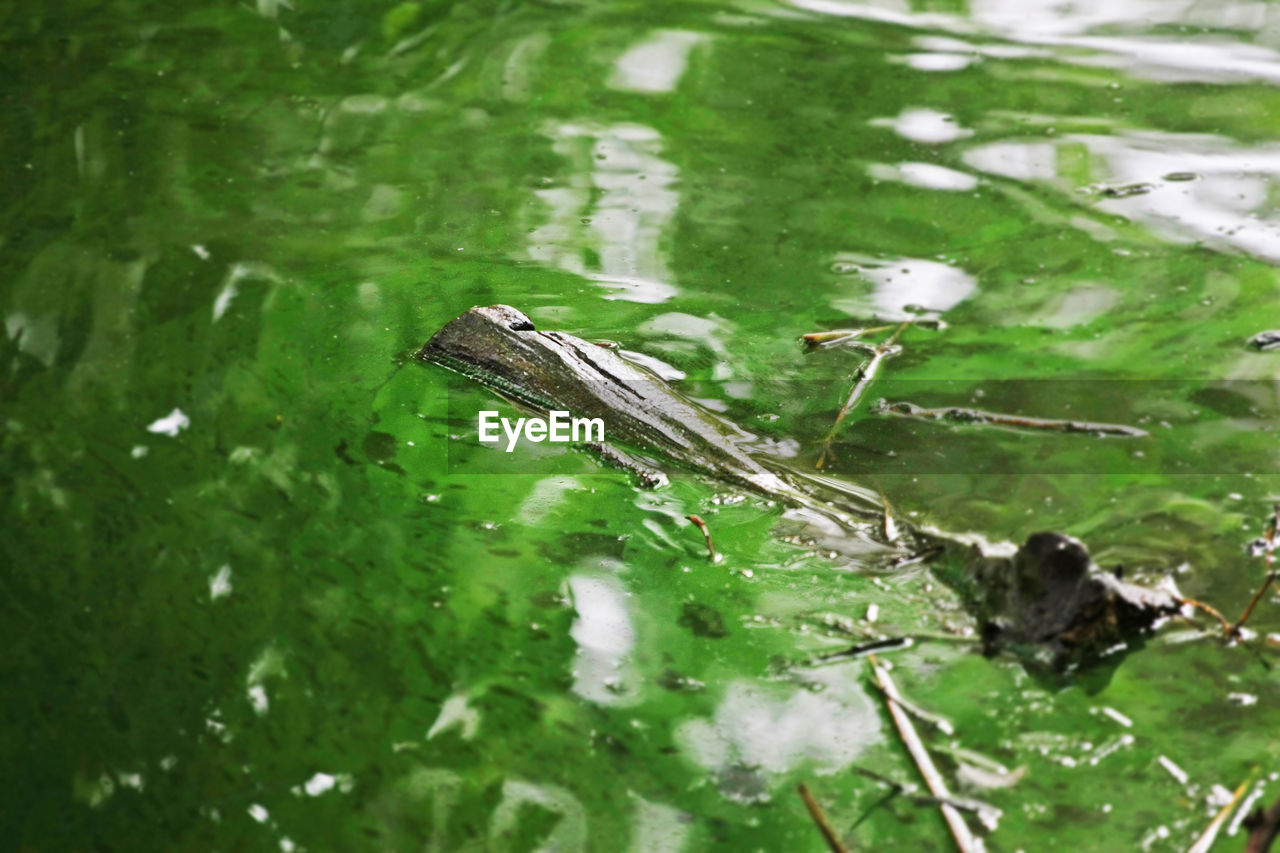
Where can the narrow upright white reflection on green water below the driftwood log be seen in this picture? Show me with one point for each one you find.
(605, 637)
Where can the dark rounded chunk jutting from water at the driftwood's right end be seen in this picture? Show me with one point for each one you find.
(1052, 600)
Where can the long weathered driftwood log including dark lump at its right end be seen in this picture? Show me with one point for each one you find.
(1050, 595)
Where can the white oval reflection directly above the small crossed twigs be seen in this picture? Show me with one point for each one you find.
(900, 286)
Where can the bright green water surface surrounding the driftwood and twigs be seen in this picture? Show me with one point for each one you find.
(317, 617)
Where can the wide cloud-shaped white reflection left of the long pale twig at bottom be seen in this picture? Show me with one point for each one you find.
(776, 729)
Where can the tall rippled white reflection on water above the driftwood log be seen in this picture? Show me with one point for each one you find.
(609, 217)
